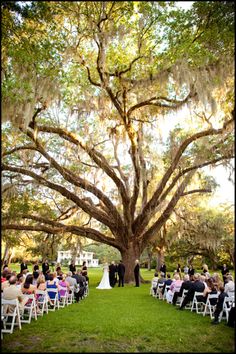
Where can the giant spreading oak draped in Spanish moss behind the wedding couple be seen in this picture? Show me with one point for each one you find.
(122, 66)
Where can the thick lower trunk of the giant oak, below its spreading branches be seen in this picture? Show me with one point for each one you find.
(128, 257)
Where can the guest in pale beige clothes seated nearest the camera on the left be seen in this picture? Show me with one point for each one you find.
(13, 292)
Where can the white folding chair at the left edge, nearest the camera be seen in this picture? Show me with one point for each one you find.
(10, 315)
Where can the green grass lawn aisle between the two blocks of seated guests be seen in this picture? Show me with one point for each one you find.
(120, 320)
